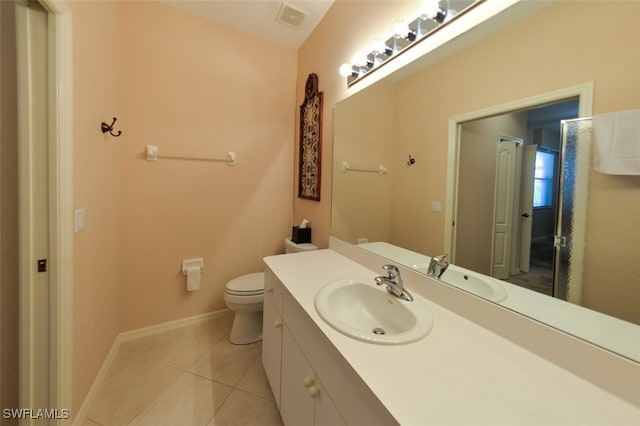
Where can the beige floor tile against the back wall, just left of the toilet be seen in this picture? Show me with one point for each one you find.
(182, 347)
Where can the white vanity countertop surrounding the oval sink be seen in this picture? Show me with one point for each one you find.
(460, 373)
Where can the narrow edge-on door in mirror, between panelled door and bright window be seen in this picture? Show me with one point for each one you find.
(526, 206)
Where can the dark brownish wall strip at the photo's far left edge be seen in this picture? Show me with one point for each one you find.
(8, 211)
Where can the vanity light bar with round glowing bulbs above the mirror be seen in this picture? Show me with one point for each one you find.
(432, 15)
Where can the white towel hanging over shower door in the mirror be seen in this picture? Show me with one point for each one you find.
(617, 142)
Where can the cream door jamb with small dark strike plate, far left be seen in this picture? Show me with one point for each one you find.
(33, 183)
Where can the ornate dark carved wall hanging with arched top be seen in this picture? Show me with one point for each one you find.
(310, 141)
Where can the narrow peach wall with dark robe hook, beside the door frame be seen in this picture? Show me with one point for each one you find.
(96, 188)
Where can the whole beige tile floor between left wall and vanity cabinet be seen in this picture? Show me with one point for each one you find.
(187, 376)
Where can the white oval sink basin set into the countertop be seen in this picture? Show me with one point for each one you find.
(360, 309)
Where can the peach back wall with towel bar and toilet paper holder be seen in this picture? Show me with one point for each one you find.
(190, 86)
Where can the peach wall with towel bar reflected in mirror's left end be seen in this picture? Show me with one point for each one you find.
(362, 201)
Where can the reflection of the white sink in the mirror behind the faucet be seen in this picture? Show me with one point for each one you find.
(478, 284)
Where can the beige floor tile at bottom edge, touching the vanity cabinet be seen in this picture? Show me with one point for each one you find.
(242, 408)
